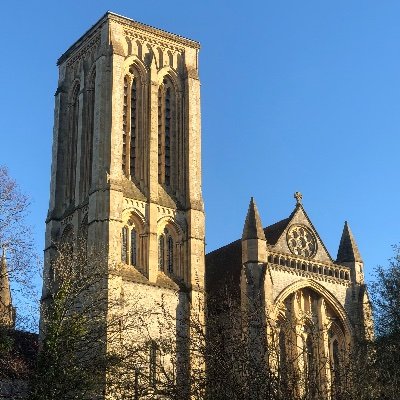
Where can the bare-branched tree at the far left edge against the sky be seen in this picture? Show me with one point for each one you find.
(18, 264)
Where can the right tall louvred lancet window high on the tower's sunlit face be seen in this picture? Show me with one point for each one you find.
(166, 131)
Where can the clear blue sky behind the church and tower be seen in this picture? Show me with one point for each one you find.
(296, 96)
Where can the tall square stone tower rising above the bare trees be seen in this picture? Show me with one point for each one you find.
(126, 164)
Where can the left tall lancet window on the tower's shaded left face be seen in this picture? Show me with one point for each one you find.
(71, 145)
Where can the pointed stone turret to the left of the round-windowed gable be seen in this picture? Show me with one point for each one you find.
(254, 248)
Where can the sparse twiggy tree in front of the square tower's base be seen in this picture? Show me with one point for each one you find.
(94, 341)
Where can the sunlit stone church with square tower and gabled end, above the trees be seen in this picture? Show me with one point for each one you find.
(126, 177)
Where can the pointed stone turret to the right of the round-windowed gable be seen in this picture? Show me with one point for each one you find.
(348, 254)
